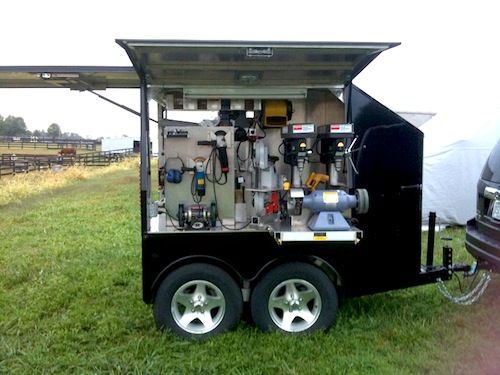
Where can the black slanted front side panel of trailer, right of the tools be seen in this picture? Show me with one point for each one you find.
(389, 162)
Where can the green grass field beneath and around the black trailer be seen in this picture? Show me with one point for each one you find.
(70, 302)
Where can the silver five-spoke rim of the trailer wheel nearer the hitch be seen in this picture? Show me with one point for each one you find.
(294, 305)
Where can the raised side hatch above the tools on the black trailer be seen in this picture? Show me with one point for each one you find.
(232, 66)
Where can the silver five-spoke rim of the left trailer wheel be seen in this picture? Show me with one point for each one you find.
(198, 306)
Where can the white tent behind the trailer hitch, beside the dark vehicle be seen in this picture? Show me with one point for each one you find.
(456, 146)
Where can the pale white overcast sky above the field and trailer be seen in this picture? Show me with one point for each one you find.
(449, 56)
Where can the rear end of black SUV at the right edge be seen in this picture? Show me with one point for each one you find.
(482, 238)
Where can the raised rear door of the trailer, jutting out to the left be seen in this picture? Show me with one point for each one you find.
(72, 77)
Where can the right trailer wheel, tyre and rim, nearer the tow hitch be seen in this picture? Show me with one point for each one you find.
(294, 297)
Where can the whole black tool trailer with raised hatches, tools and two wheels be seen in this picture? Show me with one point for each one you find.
(303, 190)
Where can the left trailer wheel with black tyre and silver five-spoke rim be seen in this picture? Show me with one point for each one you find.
(198, 301)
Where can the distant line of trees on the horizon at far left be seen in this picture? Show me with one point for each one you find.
(16, 127)
